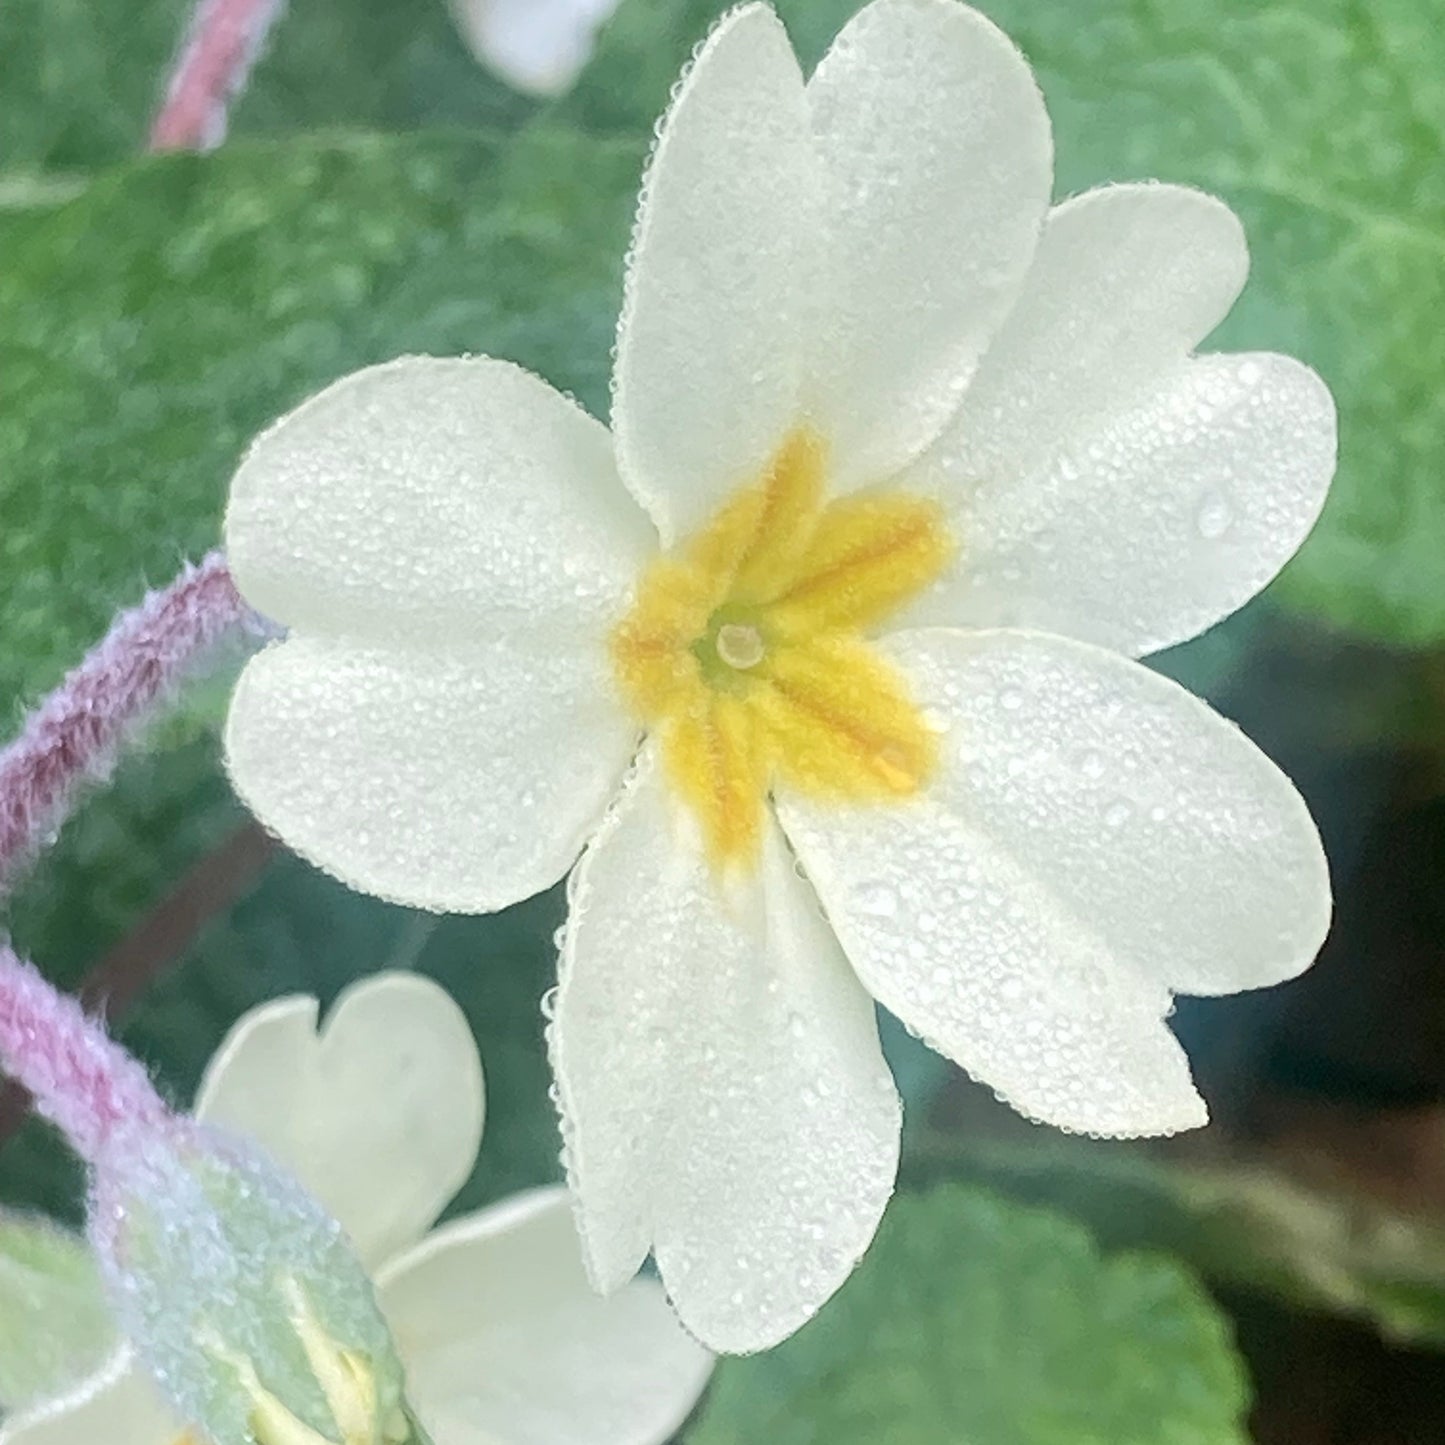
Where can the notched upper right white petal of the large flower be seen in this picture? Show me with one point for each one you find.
(1105, 485)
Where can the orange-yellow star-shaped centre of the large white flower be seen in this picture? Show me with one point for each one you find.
(745, 651)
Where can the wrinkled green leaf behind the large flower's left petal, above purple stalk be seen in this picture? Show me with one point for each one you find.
(154, 324)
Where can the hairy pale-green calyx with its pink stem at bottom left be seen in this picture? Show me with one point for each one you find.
(238, 1290)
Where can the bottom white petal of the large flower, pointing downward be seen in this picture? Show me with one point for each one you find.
(723, 1092)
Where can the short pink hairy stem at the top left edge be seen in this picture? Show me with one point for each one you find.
(222, 46)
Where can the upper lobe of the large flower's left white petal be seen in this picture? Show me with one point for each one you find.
(433, 498)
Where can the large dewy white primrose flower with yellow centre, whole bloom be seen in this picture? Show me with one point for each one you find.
(823, 661)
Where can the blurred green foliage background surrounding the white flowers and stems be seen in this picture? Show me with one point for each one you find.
(1278, 1278)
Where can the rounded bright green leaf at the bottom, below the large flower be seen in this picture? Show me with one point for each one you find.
(978, 1321)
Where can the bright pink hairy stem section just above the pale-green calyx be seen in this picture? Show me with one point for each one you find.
(82, 1082)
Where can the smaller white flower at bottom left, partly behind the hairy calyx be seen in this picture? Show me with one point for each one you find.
(504, 1340)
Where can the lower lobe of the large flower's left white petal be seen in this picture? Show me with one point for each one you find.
(460, 781)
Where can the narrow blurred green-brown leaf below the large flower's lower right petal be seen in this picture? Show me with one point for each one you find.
(1249, 1226)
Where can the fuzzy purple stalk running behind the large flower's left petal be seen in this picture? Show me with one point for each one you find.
(76, 736)
